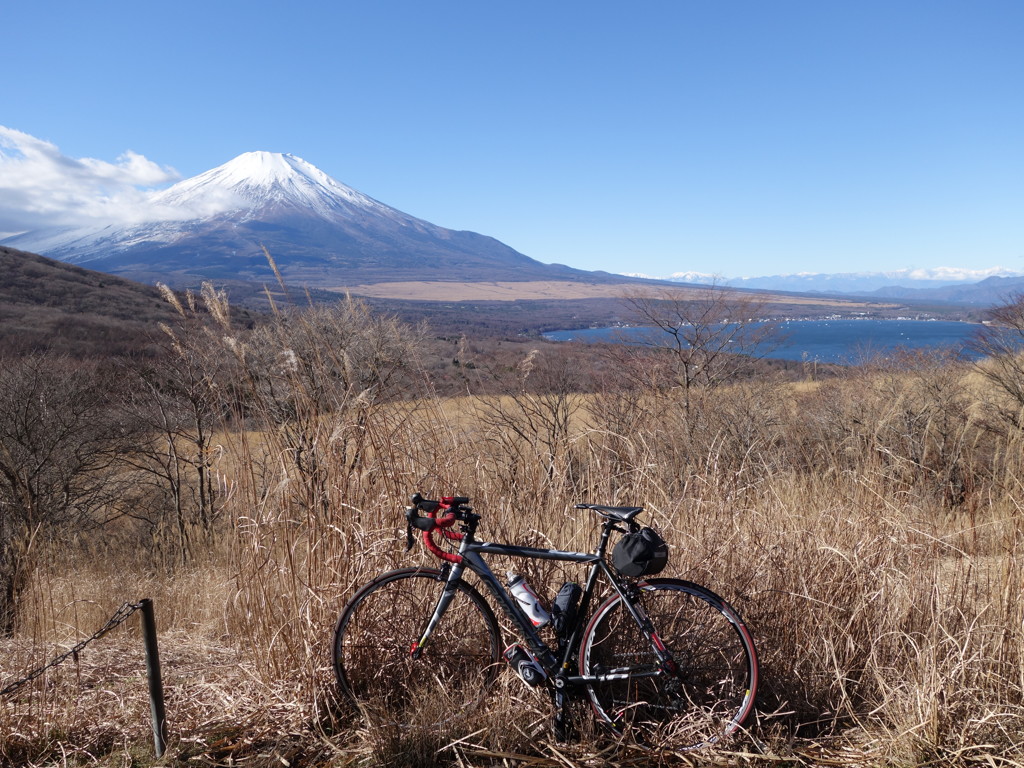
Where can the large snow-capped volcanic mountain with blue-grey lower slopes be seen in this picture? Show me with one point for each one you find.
(320, 233)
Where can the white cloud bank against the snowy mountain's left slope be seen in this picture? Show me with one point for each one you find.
(39, 187)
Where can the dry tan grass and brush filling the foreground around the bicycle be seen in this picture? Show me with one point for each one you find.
(869, 528)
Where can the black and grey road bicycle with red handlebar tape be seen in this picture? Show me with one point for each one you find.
(666, 661)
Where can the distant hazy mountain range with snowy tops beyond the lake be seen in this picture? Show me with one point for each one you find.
(975, 287)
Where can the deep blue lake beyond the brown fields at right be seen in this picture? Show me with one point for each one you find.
(842, 342)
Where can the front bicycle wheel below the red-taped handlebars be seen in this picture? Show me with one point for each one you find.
(379, 627)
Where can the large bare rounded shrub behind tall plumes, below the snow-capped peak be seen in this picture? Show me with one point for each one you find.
(318, 379)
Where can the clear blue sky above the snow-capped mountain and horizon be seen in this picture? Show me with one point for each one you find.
(726, 137)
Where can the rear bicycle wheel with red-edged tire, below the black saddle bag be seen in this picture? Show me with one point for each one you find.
(713, 691)
